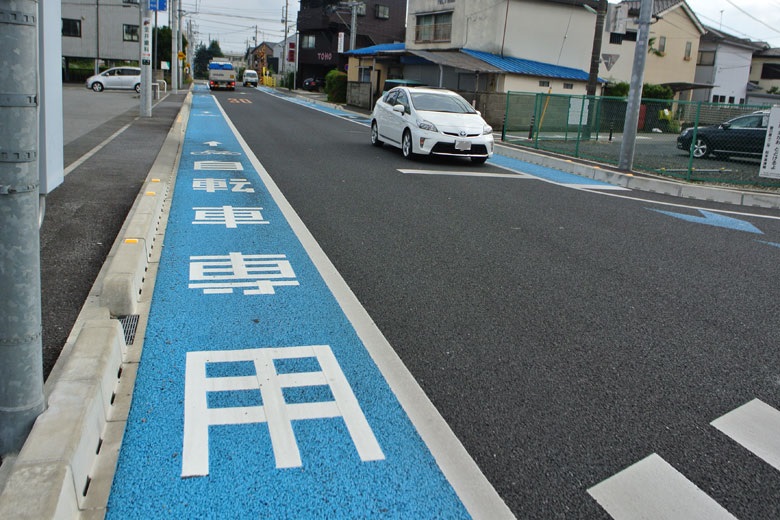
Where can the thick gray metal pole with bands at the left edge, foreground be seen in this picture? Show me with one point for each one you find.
(21, 346)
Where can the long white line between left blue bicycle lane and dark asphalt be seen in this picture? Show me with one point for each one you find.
(470, 484)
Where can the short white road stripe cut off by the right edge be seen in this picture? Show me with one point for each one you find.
(756, 426)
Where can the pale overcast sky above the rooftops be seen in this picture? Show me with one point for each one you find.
(234, 23)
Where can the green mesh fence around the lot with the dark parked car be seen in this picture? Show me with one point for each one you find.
(680, 139)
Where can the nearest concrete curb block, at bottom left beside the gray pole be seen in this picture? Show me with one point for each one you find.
(50, 478)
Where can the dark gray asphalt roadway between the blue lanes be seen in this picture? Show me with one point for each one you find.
(563, 334)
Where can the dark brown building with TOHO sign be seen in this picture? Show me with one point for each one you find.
(325, 27)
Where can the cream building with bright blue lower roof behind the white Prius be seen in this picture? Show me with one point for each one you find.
(488, 46)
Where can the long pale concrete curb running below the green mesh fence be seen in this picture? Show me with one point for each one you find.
(690, 191)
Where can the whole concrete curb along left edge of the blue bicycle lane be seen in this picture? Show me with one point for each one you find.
(52, 474)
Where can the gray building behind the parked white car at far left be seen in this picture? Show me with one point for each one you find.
(106, 31)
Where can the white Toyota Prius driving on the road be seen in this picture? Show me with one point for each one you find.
(430, 121)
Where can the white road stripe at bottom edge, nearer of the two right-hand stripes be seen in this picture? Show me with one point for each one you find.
(652, 489)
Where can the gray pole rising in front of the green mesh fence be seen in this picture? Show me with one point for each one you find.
(626, 161)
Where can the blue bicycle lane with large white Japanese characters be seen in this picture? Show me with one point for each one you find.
(255, 397)
